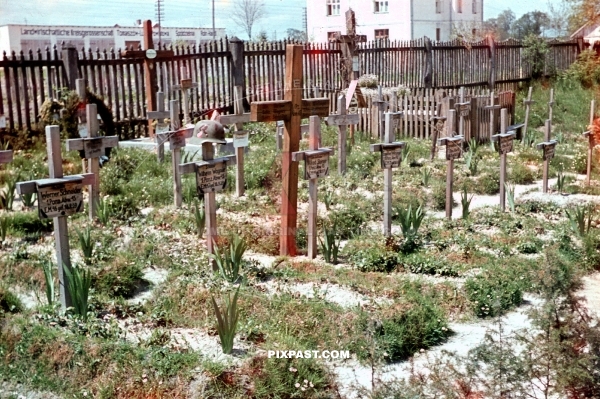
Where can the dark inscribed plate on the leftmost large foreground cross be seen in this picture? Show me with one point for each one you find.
(59, 197)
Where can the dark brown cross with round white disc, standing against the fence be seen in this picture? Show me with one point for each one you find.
(150, 76)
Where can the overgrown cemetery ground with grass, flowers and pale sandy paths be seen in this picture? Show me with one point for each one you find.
(391, 302)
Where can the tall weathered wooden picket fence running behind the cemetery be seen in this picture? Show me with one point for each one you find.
(27, 80)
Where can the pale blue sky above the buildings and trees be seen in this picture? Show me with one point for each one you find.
(281, 14)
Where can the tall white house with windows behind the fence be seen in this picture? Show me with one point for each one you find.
(394, 19)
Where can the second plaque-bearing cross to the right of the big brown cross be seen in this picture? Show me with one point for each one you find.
(391, 157)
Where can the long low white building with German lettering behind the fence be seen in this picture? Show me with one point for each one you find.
(31, 37)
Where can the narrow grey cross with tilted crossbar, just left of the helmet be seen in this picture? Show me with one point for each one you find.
(176, 138)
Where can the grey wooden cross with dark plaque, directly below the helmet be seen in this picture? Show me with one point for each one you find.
(211, 176)
